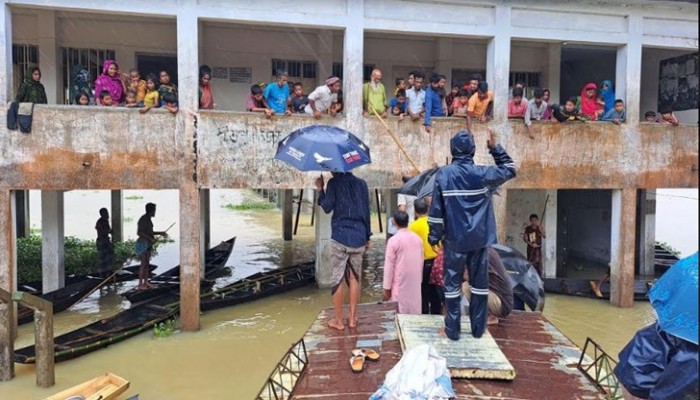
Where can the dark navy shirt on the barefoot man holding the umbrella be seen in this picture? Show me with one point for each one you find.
(348, 197)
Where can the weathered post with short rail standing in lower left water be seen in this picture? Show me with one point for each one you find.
(43, 336)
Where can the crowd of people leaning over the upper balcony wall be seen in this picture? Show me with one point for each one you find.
(413, 97)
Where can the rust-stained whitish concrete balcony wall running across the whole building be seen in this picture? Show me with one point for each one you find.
(100, 148)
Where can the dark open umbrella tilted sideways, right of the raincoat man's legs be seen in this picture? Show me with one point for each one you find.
(524, 279)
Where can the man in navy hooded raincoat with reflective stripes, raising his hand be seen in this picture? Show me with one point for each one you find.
(461, 218)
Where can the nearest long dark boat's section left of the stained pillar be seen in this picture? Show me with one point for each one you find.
(102, 333)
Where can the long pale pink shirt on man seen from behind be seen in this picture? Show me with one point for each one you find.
(403, 270)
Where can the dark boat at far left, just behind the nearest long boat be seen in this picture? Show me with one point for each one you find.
(67, 296)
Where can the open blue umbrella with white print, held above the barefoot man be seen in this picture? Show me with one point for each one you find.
(323, 148)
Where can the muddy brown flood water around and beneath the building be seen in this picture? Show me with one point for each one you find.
(236, 348)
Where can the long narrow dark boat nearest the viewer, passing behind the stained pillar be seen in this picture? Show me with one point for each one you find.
(142, 317)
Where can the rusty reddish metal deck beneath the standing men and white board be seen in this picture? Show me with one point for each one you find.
(545, 360)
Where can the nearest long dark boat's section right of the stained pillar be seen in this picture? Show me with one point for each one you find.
(259, 285)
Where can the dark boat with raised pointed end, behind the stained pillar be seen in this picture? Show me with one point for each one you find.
(215, 266)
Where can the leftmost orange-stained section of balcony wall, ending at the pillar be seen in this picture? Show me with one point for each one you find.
(74, 147)
